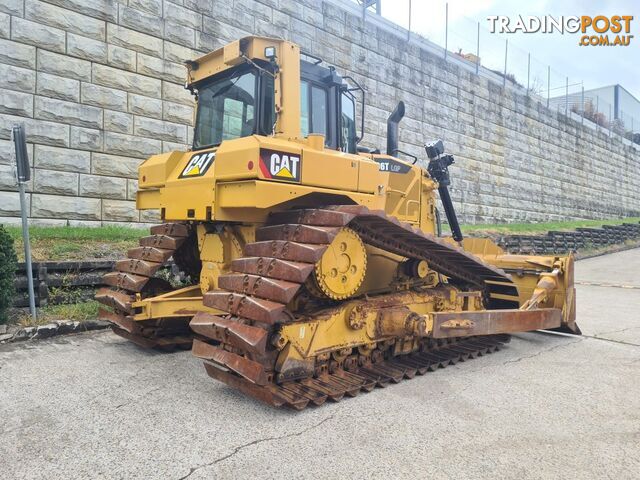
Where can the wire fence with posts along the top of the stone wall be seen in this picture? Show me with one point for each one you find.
(469, 43)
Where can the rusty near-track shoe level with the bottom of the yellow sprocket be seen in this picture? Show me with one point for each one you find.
(277, 290)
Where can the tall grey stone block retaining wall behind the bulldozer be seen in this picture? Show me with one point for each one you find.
(98, 86)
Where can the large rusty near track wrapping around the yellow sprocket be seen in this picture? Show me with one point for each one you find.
(261, 285)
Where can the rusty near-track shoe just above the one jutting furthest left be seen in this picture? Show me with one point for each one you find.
(242, 305)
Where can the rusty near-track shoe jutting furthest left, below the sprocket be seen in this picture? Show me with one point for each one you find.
(245, 337)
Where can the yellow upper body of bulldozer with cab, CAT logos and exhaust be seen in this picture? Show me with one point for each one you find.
(275, 128)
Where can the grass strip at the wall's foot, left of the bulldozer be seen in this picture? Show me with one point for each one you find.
(76, 243)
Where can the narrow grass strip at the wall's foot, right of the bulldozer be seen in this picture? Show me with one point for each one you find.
(541, 228)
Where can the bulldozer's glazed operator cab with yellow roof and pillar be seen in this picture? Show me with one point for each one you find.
(249, 95)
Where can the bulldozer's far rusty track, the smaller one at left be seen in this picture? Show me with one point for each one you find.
(133, 279)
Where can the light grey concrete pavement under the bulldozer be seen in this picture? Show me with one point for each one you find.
(547, 406)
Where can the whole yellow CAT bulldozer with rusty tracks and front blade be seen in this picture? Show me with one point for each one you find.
(317, 266)
